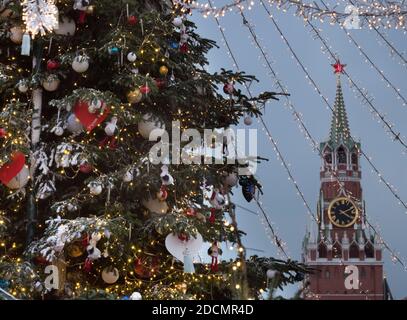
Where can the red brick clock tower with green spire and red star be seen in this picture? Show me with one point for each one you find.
(346, 257)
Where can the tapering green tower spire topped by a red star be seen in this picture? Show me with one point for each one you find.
(340, 132)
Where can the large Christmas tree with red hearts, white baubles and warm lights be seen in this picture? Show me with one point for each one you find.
(88, 91)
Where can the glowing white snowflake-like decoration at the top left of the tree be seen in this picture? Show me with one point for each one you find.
(40, 16)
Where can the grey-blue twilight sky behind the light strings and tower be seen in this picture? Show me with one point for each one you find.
(283, 205)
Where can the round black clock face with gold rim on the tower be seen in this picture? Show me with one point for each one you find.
(343, 212)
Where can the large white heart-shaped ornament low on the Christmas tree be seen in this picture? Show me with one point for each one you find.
(178, 247)
